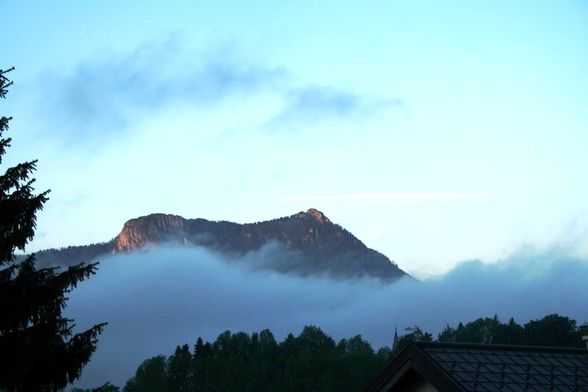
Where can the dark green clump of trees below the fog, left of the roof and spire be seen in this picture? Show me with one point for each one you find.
(256, 362)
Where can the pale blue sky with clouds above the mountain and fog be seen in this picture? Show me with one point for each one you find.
(436, 132)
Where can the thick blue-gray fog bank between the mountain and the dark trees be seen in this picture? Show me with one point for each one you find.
(156, 300)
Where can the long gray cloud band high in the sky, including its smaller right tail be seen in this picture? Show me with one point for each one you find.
(100, 96)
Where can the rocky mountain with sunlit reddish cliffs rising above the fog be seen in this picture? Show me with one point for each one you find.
(307, 243)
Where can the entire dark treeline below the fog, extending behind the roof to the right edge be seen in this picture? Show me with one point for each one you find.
(314, 361)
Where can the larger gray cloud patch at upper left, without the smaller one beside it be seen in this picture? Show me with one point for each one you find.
(100, 94)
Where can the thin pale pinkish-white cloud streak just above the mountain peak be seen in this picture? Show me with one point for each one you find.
(392, 196)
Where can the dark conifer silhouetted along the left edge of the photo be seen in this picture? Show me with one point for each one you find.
(38, 349)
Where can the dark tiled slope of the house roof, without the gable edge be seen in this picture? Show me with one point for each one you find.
(511, 368)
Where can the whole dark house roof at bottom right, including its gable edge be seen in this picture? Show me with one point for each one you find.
(458, 367)
